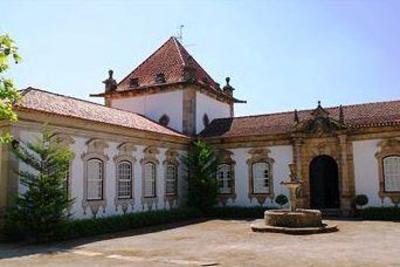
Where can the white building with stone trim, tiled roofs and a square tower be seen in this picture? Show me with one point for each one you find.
(127, 153)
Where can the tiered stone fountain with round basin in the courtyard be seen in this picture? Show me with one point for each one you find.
(292, 220)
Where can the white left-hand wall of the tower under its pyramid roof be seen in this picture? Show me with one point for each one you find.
(154, 106)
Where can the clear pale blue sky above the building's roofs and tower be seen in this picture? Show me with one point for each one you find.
(280, 55)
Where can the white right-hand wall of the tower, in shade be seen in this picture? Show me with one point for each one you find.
(213, 108)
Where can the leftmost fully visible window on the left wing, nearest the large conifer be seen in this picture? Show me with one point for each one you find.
(95, 179)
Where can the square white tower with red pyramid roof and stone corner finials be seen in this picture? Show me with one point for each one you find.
(171, 88)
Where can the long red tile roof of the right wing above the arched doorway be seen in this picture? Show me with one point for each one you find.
(356, 116)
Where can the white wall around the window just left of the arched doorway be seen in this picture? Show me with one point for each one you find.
(282, 156)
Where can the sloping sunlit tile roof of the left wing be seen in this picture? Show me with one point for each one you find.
(47, 102)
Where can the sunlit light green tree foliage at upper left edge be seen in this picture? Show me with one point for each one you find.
(8, 92)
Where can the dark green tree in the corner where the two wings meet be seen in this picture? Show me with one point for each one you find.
(201, 165)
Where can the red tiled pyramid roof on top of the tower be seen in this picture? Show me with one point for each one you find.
(169, 59)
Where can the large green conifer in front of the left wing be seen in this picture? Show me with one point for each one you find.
(43, 207)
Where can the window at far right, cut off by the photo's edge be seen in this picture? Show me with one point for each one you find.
(391, 172)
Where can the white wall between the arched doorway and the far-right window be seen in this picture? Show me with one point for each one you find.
(366, 172)
